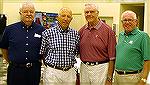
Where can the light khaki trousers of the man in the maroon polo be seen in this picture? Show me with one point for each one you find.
(93, 75)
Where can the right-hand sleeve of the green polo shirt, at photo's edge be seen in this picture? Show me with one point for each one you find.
(146, 47)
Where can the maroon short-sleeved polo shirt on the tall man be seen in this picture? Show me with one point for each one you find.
(97, 43)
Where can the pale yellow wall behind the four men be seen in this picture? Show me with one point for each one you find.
(11, 8)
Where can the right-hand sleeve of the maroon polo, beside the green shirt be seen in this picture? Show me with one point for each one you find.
(112, 45)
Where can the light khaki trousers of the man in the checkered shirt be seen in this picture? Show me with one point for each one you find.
(53, 76)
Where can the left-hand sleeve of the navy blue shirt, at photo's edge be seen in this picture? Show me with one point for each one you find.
(4, 43)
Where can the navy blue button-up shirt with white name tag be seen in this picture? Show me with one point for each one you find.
(23, 43)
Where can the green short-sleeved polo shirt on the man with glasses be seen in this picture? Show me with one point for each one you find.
(132, 50)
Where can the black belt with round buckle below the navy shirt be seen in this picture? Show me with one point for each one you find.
(24, 65)
